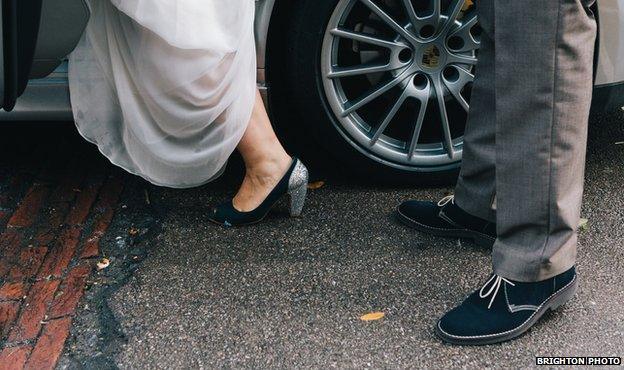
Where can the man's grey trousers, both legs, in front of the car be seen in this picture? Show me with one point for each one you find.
(525, 141)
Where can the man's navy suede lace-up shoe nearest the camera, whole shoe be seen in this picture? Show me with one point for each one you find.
(503, 309)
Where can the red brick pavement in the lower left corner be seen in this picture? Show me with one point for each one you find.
(51, 222)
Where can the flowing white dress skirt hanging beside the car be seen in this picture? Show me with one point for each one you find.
(165, 88)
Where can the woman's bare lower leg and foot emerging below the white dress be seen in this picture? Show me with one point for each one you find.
(266, 161)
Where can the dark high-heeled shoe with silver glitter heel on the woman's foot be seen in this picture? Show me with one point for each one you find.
(294, 183)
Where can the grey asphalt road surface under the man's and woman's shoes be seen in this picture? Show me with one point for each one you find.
(289, 292)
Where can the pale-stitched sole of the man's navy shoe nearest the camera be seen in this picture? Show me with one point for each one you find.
(558, 299)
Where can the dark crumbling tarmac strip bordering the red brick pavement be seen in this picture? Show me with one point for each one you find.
(96, 335)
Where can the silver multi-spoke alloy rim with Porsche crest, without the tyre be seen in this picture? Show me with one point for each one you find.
(380, 55)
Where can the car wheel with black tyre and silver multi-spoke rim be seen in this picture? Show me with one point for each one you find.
(383, 86)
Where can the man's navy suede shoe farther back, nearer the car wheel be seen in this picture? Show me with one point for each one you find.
(445, 218)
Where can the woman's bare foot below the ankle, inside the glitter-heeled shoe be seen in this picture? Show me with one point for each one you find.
(260, 179)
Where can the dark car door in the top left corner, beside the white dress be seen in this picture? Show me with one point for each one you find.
(36, 36)
